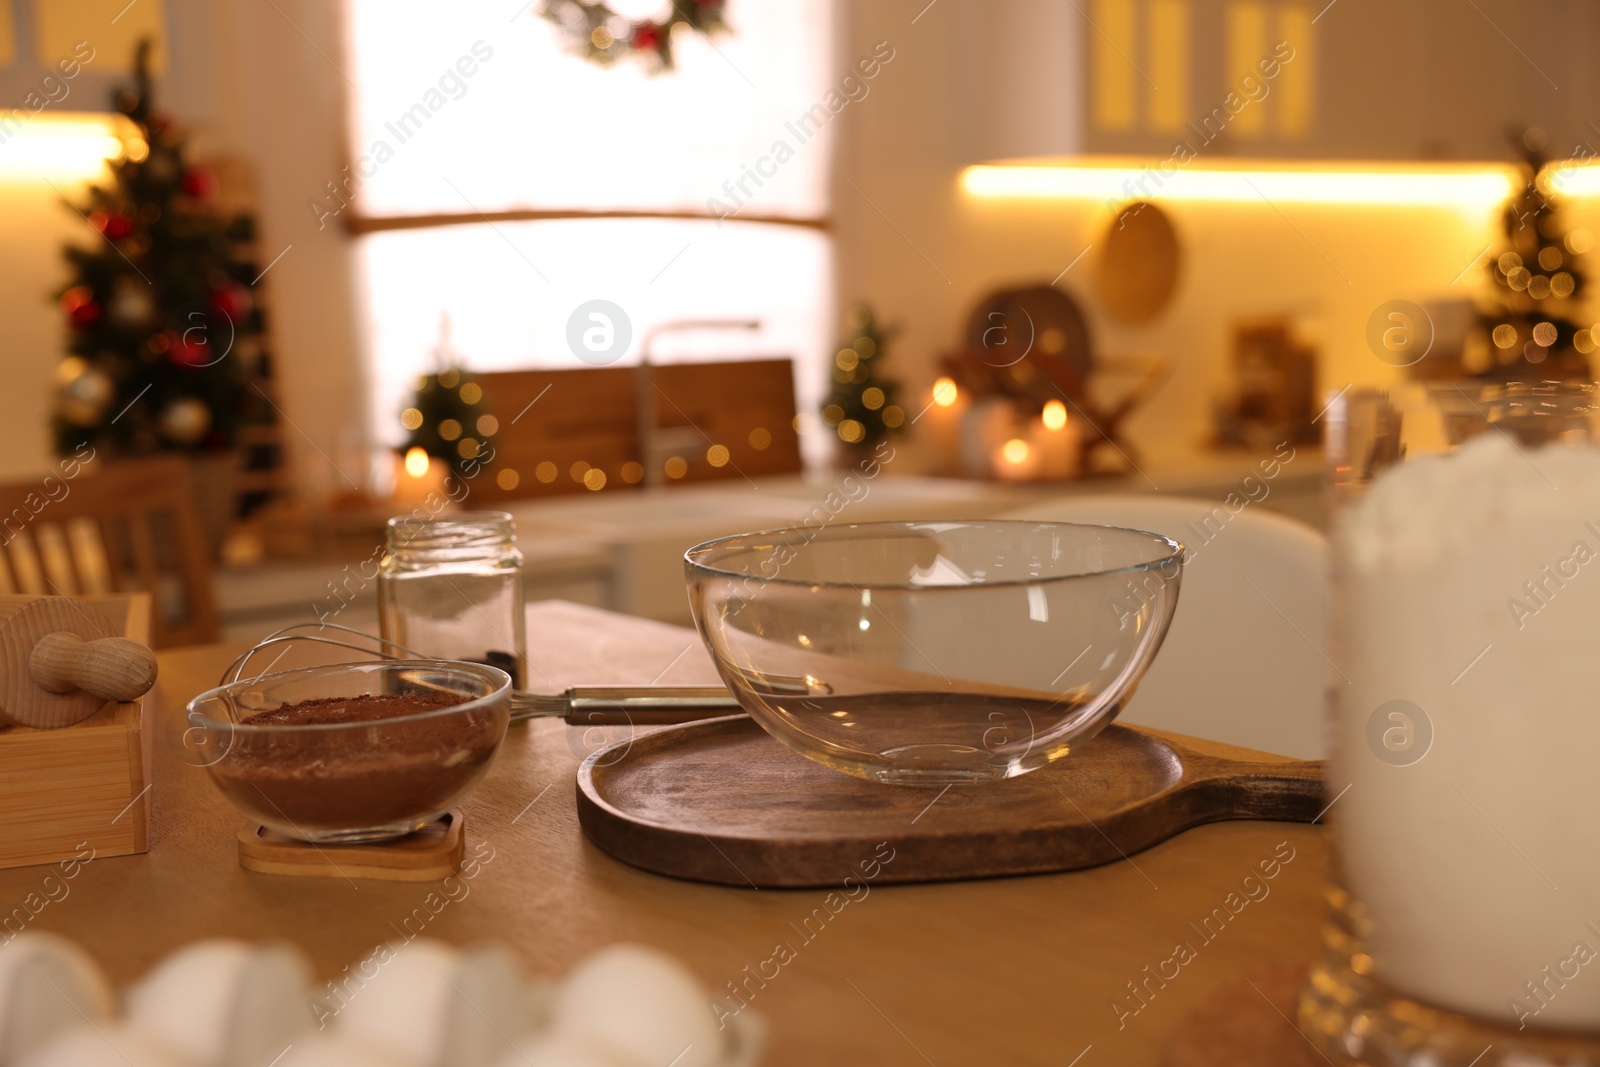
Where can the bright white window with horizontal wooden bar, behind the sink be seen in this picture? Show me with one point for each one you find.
(505, 183)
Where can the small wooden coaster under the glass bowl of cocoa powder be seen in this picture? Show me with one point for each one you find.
(430, 855)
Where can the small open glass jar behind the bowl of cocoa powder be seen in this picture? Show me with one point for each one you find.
(452, 588)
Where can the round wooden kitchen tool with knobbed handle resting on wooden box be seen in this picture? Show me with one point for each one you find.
(58, 665)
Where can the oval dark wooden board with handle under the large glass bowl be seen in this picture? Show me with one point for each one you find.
(721, 801)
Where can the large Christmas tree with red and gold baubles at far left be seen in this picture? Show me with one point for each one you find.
(159, 308)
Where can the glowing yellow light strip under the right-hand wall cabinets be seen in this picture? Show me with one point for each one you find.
(1447, 186)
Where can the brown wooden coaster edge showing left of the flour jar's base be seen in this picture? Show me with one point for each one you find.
(1249, 1023)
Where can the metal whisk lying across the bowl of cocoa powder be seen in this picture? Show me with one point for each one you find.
(578, 706)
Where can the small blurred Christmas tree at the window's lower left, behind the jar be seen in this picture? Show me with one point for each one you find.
(449, 417)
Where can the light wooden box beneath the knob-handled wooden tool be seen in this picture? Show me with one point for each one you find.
(81, 788)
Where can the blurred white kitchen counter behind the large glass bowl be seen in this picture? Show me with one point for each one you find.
(625, 551)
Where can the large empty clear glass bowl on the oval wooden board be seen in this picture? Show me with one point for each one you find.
(935, 652)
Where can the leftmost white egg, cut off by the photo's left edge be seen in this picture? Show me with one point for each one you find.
(49, 986)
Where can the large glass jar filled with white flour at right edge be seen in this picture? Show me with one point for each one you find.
(1465, 890)
